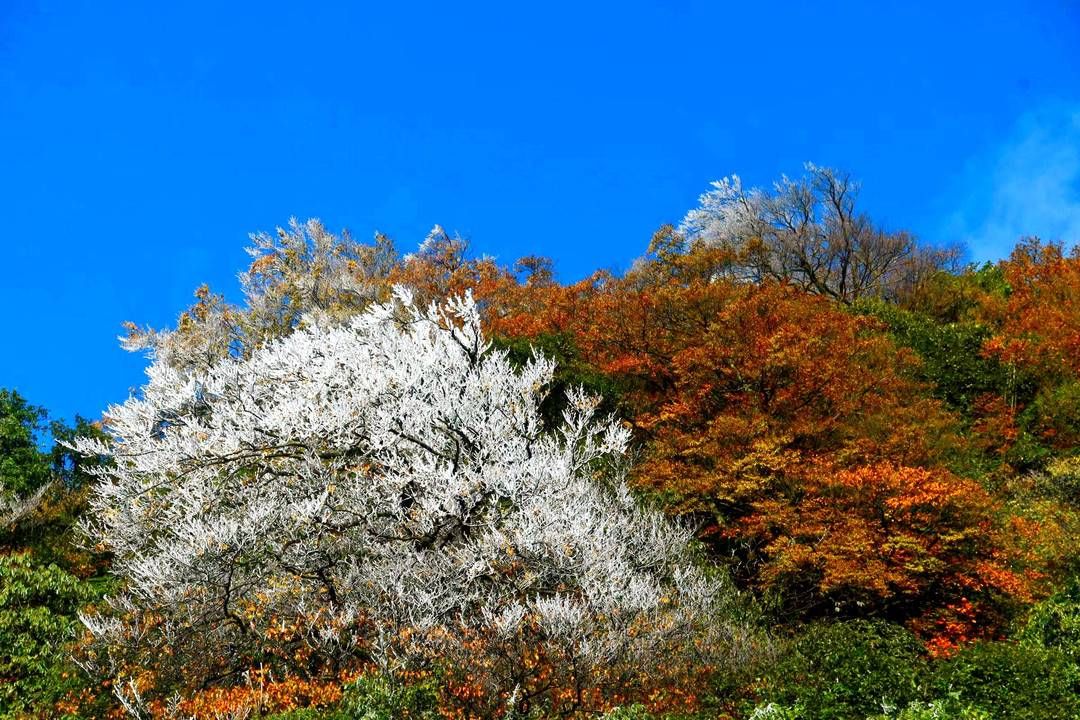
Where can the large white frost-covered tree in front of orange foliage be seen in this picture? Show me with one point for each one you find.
(386, 486)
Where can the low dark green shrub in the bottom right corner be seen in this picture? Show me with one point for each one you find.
(1016, 682)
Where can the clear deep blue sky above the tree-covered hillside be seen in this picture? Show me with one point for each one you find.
(141, 142)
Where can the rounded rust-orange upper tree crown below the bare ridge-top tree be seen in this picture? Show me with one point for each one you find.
(777, 379)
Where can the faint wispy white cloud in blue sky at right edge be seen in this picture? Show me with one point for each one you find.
(1029, 185)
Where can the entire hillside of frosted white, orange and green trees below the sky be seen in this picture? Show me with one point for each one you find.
(790, 466)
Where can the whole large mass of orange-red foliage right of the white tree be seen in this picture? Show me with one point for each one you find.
(798, 434)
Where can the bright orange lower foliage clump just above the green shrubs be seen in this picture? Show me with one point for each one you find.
(908, 541)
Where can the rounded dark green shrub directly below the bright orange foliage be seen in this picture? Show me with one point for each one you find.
(850, 670)
